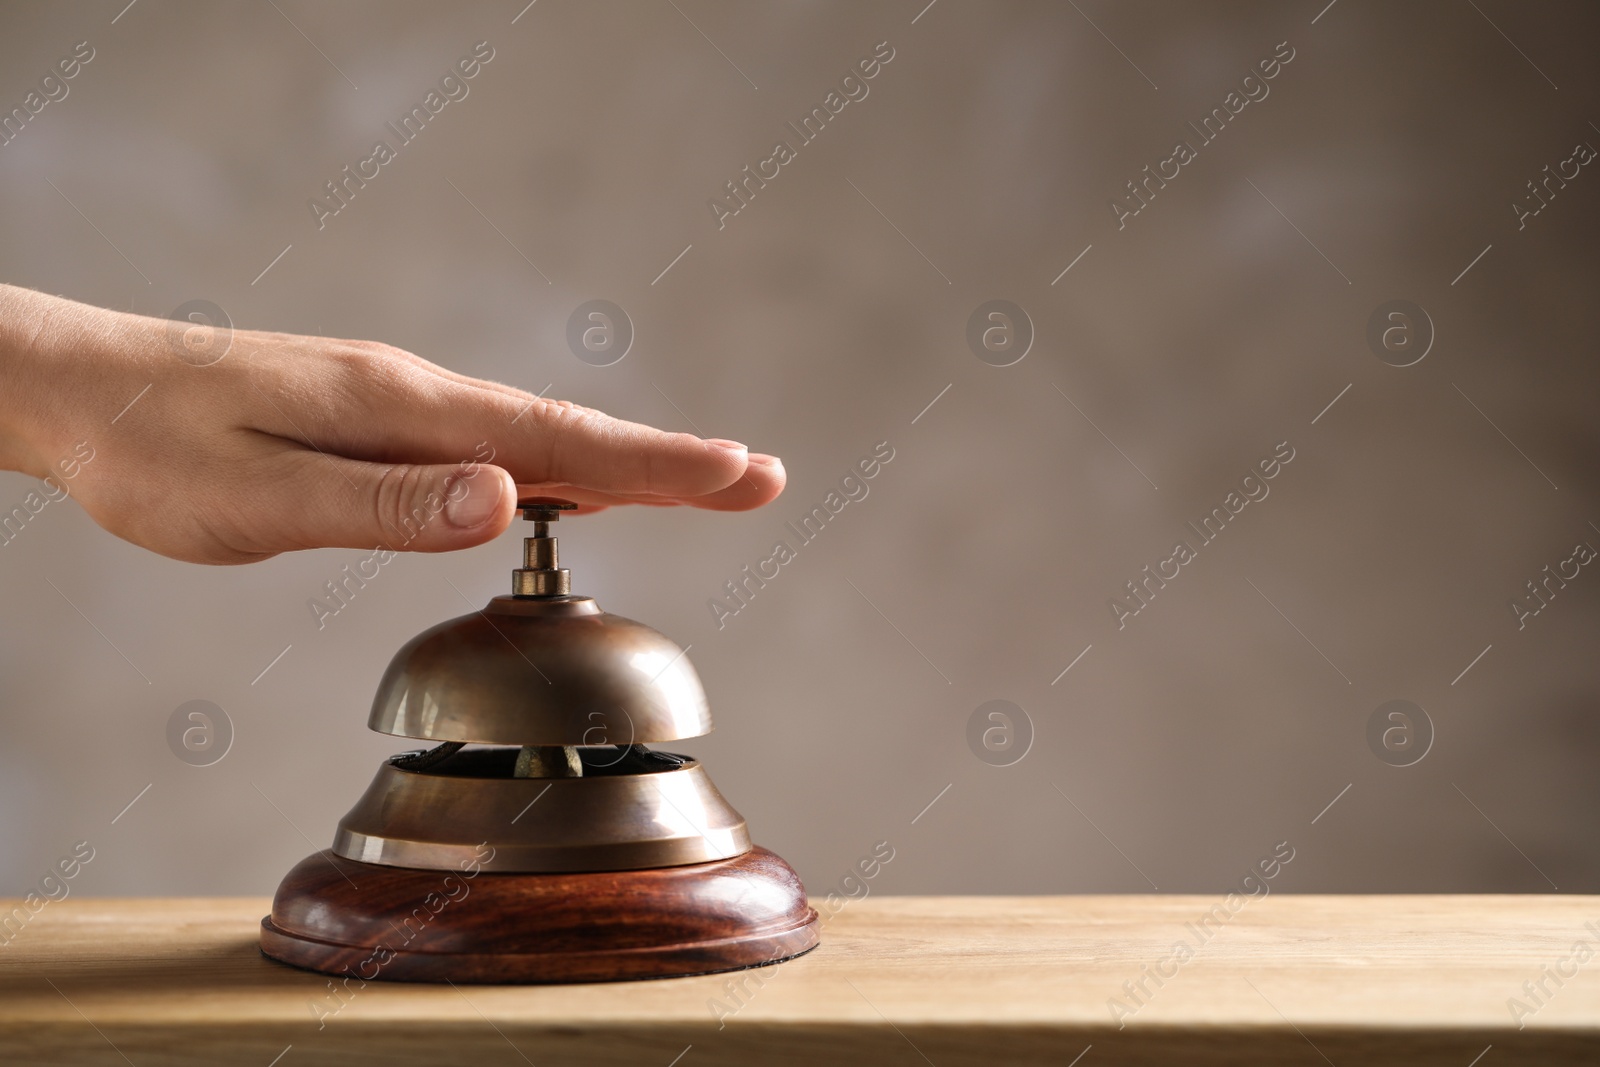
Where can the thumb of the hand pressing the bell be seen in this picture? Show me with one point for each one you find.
(337, 503)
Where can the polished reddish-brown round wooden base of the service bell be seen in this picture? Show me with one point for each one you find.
(409, 925)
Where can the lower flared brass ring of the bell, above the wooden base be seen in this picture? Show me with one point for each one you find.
(615, 818)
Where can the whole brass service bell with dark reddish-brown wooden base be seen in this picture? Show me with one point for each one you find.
(540, 839)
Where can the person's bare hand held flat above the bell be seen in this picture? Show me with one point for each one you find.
(289, 442)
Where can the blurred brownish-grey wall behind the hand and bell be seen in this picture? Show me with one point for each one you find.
(1177, 353)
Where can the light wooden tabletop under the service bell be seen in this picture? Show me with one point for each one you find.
(1286, 980)
